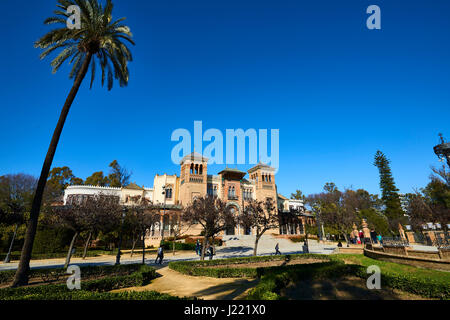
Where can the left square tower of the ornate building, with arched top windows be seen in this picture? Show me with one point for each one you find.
(193, 177)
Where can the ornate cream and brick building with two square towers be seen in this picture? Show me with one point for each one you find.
(171, 193)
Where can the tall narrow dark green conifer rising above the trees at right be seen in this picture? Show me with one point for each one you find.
(389, 193)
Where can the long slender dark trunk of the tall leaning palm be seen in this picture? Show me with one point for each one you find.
(22, 273)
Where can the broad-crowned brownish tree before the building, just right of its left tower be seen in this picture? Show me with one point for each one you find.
(212, 214)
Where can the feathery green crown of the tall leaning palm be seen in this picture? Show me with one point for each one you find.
(99, 35)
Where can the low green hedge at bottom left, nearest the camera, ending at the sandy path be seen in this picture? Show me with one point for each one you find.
(89, 289)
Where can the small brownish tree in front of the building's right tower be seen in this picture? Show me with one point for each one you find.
(261, 216)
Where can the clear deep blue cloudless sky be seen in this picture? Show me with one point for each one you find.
(337, 91)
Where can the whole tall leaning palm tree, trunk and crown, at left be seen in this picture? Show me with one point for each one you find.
(99, 39)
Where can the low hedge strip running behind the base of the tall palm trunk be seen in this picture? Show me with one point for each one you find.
(49, 274)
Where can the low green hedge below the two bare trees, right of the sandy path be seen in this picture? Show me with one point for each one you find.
(200, 268)
